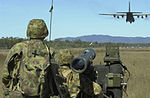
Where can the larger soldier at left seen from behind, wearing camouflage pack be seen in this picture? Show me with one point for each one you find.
(30, 70)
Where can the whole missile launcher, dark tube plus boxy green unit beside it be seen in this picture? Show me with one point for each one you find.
(109, 76)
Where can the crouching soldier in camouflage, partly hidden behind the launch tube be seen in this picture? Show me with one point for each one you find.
(78, 89)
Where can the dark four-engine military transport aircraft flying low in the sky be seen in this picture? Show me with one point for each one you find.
(129, 15)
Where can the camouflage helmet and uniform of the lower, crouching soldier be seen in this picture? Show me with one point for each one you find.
(72, 78)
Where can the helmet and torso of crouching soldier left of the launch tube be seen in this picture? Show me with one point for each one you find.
(64, 58)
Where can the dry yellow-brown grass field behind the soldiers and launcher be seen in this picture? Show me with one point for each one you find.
(137, 61)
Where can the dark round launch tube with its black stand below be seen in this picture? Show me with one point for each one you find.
(82, 64)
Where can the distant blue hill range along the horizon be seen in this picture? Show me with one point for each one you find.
(107, 38)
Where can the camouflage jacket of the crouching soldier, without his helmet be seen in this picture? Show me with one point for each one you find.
(73, 83)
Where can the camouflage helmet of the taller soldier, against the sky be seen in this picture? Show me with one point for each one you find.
(37, 29)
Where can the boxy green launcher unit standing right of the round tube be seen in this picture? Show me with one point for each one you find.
(111, 75)
